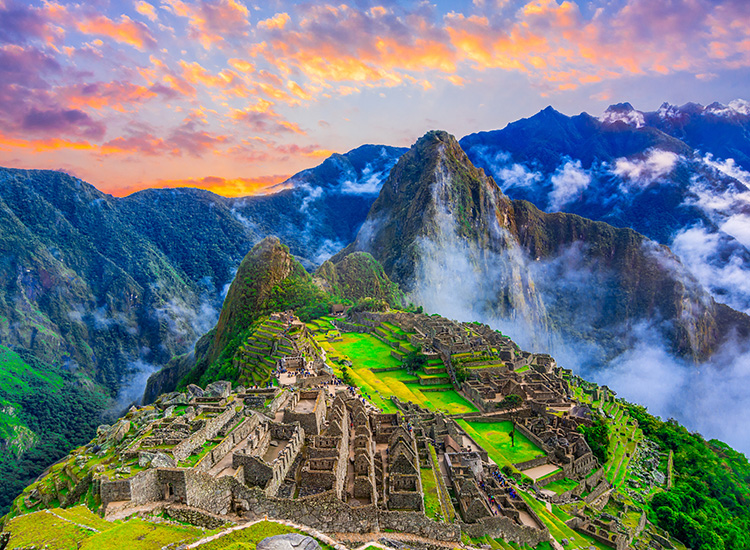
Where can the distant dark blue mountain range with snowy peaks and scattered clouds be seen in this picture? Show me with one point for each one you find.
(677, 175)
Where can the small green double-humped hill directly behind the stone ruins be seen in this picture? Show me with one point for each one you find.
(268, 280)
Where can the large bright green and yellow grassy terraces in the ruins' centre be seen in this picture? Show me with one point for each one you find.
(369, 356)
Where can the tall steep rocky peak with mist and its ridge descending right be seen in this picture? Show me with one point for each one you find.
(446, 233)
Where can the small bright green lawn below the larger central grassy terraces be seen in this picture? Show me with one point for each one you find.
(494, 437)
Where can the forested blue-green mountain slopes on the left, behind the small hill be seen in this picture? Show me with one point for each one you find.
(102, 291)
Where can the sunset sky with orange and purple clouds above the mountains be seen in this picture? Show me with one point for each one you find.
(235, 96)
